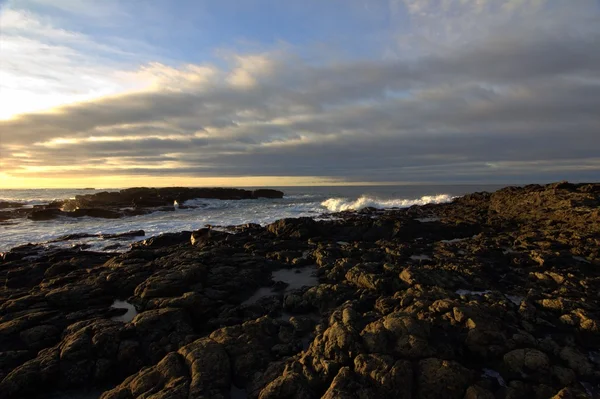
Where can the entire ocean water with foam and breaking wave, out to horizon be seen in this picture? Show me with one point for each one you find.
(297, 202)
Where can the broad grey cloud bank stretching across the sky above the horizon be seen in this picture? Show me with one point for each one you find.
(510, 105)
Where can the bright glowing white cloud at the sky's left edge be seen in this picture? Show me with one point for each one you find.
(45, 66)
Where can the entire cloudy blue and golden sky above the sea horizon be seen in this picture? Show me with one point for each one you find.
(119, 93)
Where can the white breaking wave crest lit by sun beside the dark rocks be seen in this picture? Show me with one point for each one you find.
(344, 204)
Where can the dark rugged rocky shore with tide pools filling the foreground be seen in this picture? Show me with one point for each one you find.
(490, 296)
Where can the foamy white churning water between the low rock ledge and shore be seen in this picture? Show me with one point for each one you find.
(205, 212)
